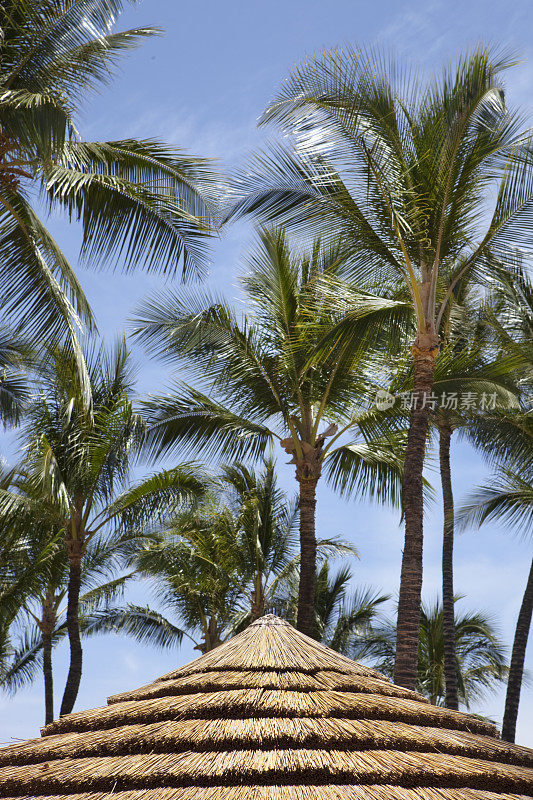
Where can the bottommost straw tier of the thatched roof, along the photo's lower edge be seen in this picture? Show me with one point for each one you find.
(408, 770)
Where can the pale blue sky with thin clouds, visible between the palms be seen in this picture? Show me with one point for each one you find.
(201, 87)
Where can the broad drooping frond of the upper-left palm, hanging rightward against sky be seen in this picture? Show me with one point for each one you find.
(137, 202)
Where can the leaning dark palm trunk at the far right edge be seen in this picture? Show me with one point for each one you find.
(516, 669)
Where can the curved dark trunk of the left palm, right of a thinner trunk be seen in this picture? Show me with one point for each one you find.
(73, 627)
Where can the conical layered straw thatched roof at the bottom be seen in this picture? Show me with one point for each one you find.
(269, 715)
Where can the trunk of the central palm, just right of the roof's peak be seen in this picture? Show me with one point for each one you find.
(306, 591)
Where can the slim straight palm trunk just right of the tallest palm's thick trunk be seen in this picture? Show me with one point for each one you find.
(448, 611)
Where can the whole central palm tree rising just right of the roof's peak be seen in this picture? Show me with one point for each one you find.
(276, 374)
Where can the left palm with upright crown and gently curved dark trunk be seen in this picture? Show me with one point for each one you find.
(78, 466)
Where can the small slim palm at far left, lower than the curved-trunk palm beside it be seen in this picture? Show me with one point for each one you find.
(41, 620)
